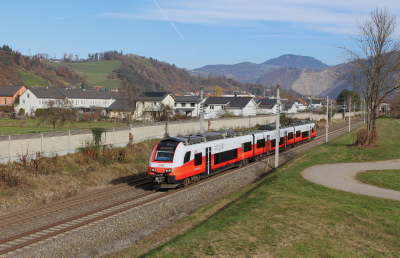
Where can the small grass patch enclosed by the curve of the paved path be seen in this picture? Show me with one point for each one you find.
(389, 179)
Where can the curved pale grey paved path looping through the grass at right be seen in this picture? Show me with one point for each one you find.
(343, 177)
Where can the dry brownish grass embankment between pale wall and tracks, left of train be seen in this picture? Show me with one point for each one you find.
(34, 181)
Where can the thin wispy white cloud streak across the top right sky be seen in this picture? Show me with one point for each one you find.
(338, 16)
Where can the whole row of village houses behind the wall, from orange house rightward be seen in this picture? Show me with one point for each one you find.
(146, 105)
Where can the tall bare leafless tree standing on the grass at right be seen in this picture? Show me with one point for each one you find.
(375, 64)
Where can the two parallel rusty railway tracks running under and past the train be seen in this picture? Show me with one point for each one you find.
(35, 235)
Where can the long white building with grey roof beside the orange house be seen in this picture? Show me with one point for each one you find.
(82, 99)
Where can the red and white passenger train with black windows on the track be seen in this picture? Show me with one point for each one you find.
(182, 160)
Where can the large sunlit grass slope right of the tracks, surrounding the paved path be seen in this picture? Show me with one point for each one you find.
(284, 215)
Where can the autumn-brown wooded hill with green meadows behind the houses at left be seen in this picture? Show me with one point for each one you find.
(109, 69)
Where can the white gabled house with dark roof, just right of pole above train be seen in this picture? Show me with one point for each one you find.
(238, 106)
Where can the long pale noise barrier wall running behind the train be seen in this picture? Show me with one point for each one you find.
(64, 142)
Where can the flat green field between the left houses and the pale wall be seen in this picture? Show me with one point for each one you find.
(23, 126)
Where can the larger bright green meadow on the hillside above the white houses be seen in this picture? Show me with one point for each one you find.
(96, 72)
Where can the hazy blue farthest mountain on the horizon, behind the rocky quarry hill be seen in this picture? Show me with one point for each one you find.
(248, 72)
